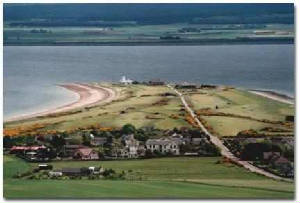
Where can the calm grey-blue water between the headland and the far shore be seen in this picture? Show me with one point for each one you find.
(31, 73)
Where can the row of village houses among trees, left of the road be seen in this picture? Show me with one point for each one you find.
(127, 147)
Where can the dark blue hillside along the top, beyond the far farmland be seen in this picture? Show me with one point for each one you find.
(64, 14)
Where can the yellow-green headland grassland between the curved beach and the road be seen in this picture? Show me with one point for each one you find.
(137, 102)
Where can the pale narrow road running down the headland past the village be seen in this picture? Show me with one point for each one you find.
(224, 150)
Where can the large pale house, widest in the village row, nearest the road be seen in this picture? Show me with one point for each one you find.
(163, 145)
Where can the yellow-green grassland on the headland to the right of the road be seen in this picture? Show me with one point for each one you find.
(239, 102)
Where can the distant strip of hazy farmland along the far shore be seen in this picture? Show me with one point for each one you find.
(134, 33)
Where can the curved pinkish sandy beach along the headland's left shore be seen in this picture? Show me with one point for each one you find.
(89, 95)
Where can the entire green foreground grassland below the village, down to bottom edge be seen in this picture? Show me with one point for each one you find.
(166, 178)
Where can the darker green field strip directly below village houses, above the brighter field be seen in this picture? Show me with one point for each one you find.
(170, 168)
